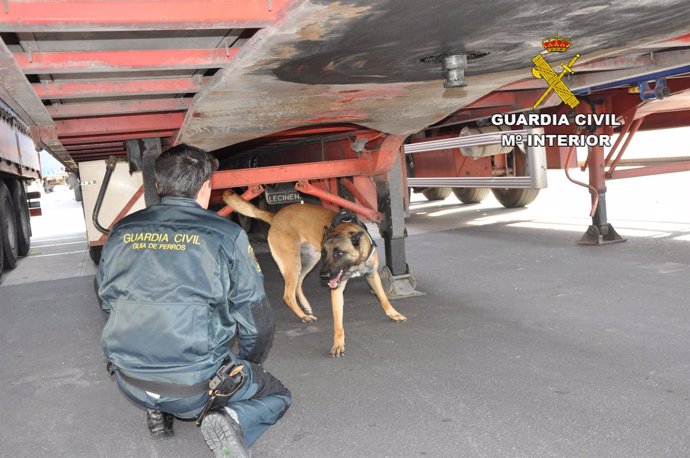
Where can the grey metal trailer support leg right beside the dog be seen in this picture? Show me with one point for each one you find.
(396, 276)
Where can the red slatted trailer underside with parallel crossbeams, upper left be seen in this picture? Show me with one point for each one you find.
(112, 71)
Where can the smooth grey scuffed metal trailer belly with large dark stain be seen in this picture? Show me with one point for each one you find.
(365, 62)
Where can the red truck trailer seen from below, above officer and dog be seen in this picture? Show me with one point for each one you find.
(349, 103)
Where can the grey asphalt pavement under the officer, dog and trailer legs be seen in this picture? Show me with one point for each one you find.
(524, 344)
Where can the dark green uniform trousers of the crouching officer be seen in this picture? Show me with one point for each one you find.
(259, 403)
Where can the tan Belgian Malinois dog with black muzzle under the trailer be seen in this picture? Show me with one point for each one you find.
(299, 236)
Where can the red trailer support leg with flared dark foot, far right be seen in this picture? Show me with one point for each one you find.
(601, 232)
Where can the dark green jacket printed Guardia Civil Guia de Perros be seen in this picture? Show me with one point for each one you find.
(179, 282)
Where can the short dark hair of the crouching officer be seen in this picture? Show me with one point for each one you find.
(181, 170)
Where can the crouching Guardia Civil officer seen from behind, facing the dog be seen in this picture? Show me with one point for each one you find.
(180, 284)
